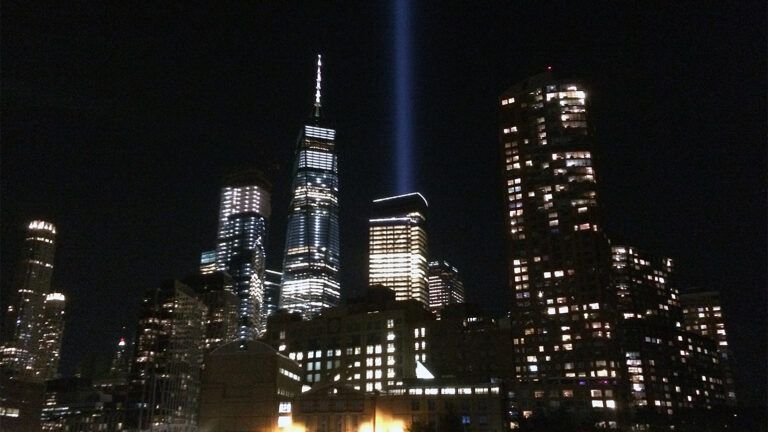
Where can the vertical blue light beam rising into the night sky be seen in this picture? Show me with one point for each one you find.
(403, 98)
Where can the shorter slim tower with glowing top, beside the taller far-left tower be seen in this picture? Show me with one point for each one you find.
(51, 331)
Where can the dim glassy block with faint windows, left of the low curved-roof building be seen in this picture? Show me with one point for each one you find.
(165, 375)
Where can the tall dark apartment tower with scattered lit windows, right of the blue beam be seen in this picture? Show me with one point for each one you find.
(563, 314)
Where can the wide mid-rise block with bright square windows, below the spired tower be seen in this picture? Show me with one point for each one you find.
(368, 343)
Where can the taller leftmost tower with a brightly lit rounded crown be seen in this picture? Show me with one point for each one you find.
(25, 316)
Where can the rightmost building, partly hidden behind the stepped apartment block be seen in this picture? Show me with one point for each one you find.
(703, 314)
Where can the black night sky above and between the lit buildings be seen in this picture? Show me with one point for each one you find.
(119, 123)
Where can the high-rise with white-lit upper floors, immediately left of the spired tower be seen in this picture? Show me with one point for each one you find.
(241, 248)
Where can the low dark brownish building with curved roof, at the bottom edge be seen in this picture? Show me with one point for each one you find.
(247, 386)
